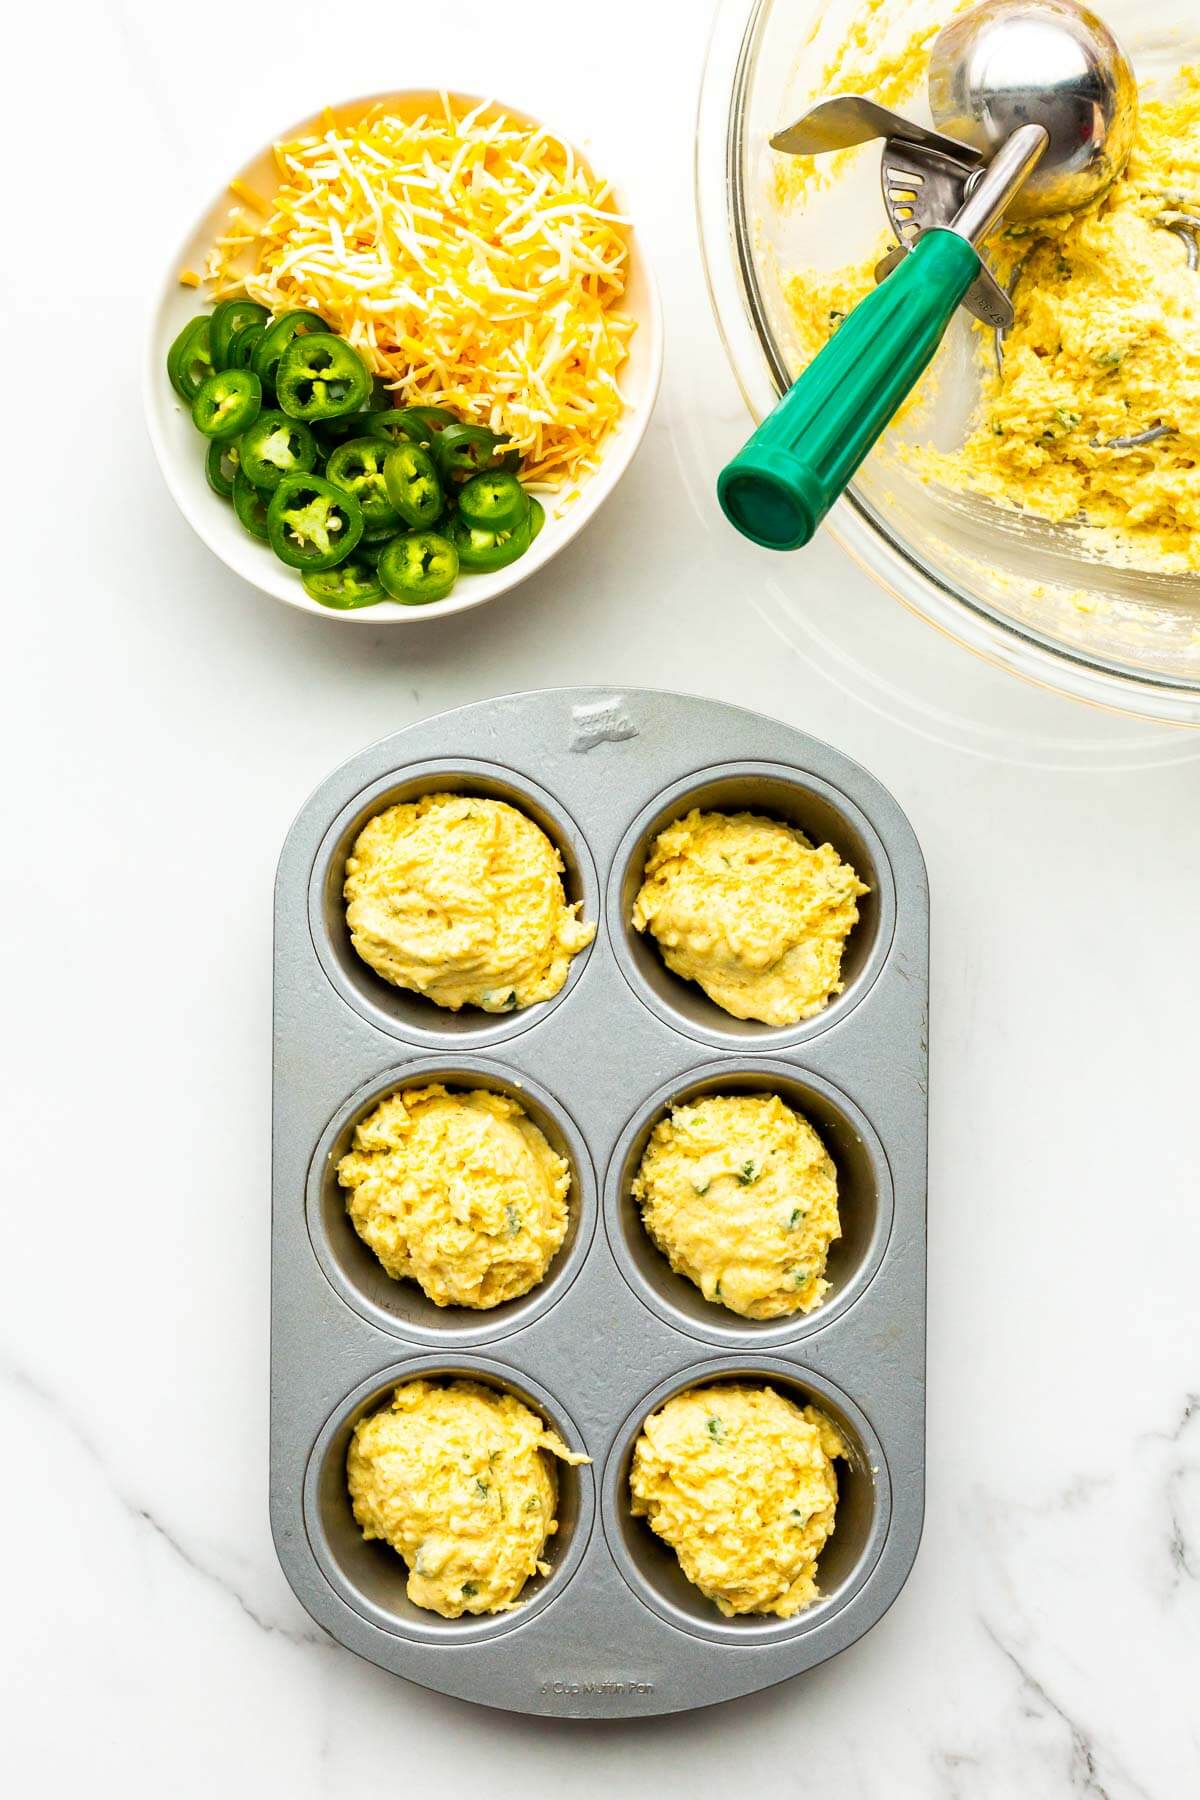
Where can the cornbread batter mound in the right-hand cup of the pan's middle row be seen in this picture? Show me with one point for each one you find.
(740, 1196)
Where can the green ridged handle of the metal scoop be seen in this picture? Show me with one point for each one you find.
(784, 483)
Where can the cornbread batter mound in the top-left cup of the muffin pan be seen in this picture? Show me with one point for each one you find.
(461, 899)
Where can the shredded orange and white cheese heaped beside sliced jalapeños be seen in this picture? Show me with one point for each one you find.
(470, 258)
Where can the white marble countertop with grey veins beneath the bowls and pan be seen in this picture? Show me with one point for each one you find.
(163, 726)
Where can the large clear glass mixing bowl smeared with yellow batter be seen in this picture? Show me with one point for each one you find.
(1017, 589)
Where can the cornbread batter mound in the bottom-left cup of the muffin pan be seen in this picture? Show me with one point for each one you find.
(458, 1480)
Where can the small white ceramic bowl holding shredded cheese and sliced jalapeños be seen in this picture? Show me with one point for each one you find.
(181, 449)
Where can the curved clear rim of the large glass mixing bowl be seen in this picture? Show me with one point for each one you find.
(854, 523)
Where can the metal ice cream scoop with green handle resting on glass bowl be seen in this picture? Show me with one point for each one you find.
(1035, 107)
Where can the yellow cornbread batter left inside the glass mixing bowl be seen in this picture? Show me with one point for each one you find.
(1106, 346)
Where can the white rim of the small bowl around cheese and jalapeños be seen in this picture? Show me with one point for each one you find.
(192, 494)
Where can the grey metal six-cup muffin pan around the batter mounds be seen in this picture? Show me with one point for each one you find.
(614, 1630)
